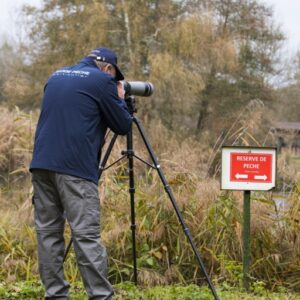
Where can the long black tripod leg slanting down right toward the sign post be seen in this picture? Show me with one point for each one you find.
(172, 198)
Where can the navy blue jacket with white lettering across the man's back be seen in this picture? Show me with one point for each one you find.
(79, 104)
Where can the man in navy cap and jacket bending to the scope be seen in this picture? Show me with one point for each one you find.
(80, 102)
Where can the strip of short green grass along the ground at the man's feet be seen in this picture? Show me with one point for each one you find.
(128, 291)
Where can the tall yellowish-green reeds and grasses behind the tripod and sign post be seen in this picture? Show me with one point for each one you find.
(164, 256)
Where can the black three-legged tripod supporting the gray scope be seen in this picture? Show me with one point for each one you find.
(130, 155)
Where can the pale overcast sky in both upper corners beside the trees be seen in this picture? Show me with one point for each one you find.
(287, 14)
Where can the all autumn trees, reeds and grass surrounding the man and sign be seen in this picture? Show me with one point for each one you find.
(211, 62)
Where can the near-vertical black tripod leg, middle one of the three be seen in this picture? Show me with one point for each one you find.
(130, 154)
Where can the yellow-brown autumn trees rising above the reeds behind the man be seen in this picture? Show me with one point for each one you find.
(207, 59)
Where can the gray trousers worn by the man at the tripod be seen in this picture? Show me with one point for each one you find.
(58, 197)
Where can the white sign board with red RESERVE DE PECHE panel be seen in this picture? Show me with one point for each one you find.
(248, 169)
